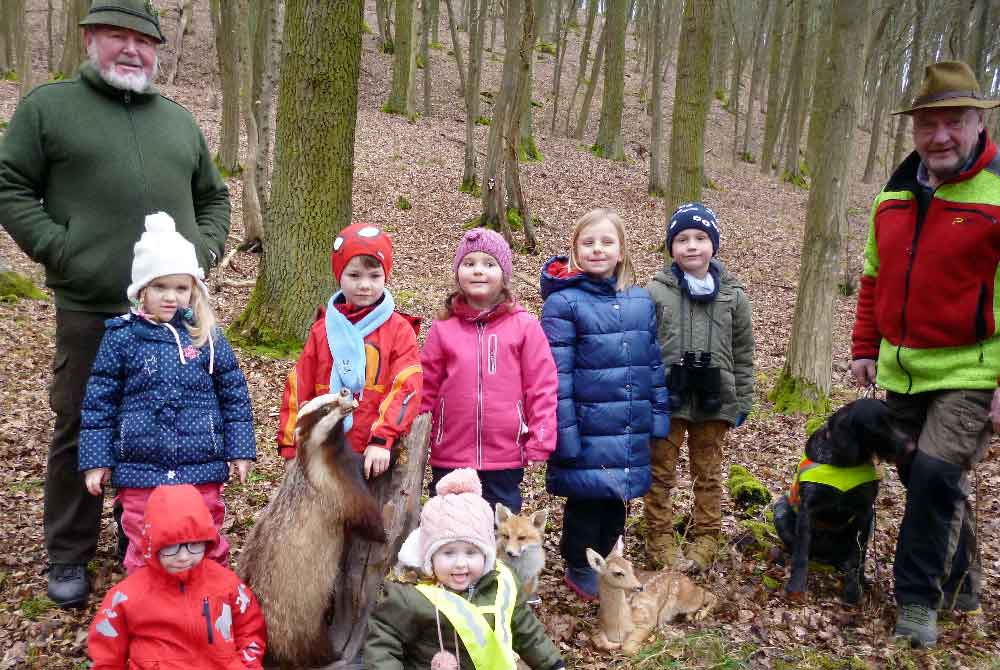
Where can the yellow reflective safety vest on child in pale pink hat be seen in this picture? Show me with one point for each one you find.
(489, 649)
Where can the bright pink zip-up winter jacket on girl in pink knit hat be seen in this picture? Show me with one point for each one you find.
(491, 384)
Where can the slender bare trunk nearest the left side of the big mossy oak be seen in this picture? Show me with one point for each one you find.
(253, 225)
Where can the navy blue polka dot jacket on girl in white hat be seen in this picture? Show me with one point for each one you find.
(158, 410)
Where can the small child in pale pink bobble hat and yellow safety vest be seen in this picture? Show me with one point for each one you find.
(466, 611)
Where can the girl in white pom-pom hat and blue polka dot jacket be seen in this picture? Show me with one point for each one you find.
(166, 402)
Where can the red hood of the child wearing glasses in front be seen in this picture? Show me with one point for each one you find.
(176, 514)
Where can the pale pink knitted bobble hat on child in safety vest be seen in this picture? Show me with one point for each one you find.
(458, 513)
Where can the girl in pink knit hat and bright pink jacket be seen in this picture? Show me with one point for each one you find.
(489, 379)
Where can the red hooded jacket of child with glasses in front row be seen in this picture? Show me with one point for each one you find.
(204, 618)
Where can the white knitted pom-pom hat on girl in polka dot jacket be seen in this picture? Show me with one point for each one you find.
(162, 251)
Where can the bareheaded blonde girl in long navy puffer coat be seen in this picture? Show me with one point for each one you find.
(612, 389)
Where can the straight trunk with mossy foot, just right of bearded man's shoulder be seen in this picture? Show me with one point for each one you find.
(227, 49)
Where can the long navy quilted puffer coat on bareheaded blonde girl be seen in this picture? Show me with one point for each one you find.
(612, 389)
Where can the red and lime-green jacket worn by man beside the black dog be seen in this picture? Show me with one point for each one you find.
(929, 302)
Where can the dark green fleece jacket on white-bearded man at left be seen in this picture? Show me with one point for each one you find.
(82, 163)
